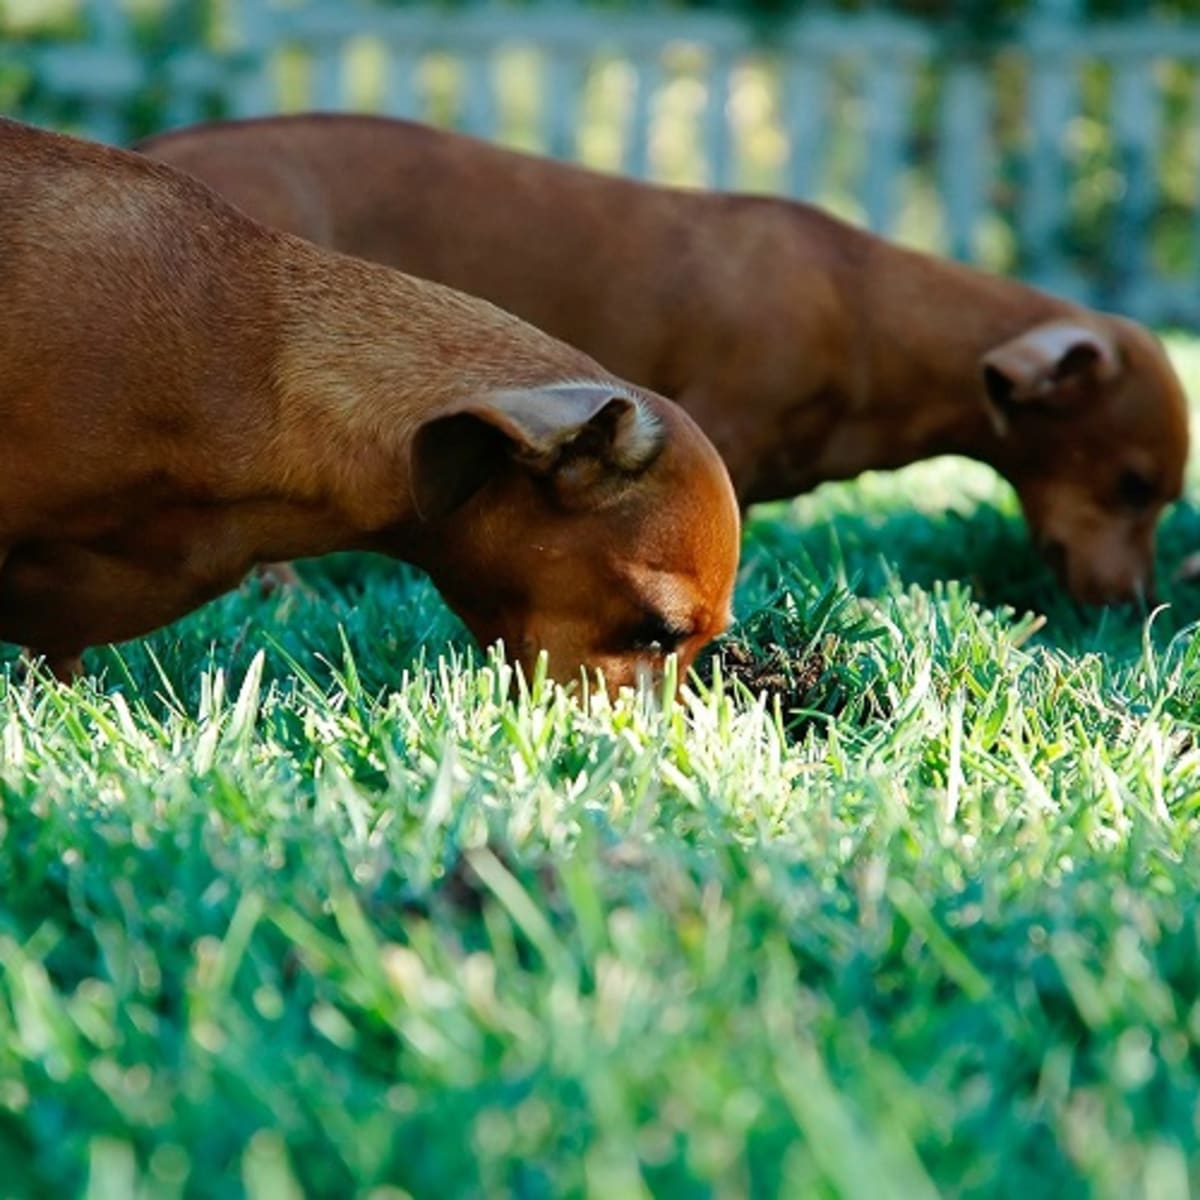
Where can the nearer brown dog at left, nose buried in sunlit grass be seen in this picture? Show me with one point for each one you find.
(185, 393)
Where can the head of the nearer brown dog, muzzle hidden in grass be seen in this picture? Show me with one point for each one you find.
(586, 520)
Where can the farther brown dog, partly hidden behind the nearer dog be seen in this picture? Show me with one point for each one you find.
(806, 349)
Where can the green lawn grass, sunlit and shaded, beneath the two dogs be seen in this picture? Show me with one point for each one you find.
(296, 901)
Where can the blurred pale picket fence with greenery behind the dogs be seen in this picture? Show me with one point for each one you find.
(1052, 139)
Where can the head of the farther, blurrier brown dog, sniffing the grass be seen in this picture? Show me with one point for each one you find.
(1093, 427)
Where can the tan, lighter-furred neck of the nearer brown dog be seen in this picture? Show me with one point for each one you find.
(367, 357)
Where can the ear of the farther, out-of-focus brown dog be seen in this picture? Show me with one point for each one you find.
(1052, 367)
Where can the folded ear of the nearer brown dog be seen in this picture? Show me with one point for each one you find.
(575, 435)
